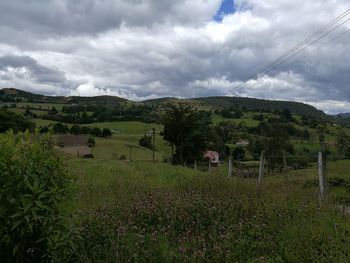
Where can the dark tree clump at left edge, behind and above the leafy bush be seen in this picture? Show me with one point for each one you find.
(10, 120)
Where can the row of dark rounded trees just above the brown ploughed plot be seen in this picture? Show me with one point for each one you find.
(60, 128)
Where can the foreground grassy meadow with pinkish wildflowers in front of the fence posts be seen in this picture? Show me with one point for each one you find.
(144, 212)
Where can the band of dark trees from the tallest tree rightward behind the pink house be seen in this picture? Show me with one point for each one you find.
(190, 133)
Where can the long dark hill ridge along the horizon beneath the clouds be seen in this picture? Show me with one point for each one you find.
(213, 103)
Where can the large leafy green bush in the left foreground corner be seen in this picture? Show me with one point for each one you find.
(33, 186)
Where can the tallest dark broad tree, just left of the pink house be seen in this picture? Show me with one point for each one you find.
(186, 129)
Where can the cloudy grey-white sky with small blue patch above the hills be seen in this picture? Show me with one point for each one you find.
(143, 49)
